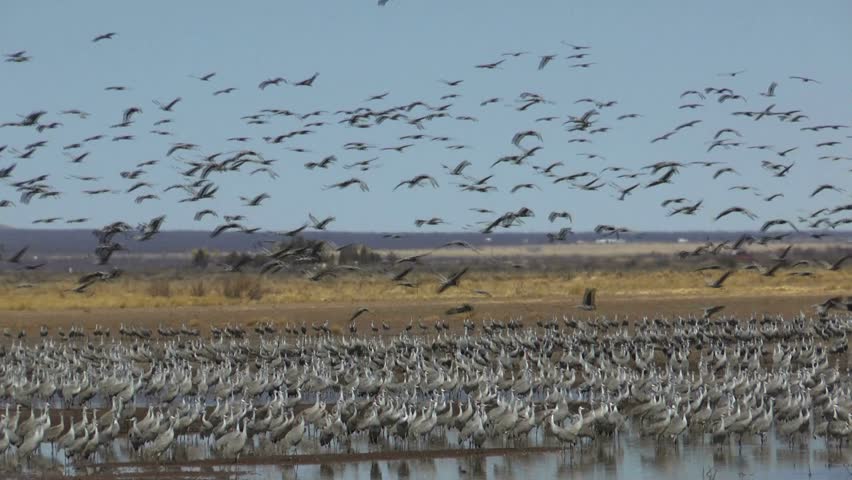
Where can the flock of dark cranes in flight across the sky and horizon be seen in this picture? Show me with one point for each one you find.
(202, 175)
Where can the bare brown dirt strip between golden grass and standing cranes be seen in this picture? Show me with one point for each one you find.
(398, 312)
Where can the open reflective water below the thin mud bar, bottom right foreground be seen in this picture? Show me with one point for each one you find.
(628, 462)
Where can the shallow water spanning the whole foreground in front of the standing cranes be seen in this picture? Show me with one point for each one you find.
(628, 458)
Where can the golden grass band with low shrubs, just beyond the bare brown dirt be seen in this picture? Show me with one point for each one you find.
(136, 291)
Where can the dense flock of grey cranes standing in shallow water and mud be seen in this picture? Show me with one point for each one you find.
(565, 381)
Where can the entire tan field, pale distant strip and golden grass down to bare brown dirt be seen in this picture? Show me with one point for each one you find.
(632, 279)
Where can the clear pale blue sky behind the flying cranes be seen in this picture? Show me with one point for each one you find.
(645, 56)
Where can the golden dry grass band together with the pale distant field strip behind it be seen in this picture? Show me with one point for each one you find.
(541, 272)
